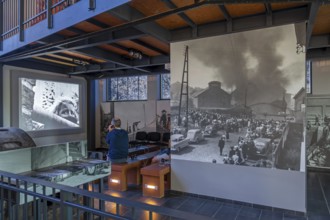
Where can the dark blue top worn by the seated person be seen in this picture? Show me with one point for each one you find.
(117, 139)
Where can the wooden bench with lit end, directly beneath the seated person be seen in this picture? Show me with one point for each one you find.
(120, 173)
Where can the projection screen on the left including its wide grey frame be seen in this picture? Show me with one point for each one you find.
(44, 104)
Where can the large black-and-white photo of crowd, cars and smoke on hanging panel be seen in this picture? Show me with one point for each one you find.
(236, 99)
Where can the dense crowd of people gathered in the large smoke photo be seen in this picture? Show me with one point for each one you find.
(246, 127)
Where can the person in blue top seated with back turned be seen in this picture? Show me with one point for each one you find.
(117, 139)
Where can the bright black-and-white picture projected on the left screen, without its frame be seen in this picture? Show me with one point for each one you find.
(47, 105)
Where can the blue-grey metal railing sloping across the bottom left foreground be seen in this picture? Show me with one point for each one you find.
(24, 197)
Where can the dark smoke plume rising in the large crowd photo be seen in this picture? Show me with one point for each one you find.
(248, 64)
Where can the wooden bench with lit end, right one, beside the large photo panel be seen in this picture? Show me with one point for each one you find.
(153, 180)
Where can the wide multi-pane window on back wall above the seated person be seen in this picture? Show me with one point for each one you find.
(127, 88)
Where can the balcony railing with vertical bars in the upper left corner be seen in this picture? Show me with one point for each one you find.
(17, 15)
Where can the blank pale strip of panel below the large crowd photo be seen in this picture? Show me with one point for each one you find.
(262, 186)
